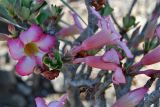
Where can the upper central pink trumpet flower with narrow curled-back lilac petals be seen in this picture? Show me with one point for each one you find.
(107, 36)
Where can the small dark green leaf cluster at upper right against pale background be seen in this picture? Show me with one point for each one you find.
(128, 21)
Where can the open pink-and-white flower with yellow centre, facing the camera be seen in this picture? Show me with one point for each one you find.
(29, 49)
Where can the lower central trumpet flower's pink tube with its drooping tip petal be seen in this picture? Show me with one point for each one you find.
(98, 62)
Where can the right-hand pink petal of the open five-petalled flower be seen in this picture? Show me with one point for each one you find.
(46, 43)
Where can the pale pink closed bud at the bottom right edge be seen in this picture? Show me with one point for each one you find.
(132, 98)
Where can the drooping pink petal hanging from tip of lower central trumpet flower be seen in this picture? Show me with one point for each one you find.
(118, 77)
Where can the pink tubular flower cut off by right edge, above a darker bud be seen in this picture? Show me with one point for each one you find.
(150, 58)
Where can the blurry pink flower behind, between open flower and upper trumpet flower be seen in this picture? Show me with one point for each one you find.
(76, 28)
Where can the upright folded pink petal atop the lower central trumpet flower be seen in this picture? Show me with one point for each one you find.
(111, 56)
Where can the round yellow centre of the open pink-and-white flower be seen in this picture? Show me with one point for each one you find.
(30, 49)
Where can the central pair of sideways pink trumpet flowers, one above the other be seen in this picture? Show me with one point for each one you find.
(110, 60)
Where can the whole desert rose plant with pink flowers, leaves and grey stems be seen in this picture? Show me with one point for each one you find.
(35, 37)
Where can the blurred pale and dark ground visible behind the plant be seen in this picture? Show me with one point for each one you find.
(17, 91)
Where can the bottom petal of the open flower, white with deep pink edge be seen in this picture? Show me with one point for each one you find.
(25, 65)
